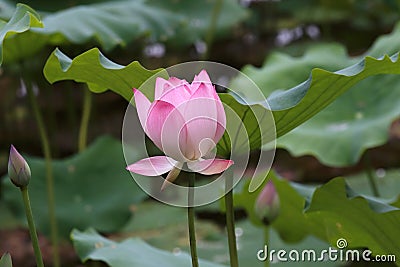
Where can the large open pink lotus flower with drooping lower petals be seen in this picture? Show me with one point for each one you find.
(185, 121)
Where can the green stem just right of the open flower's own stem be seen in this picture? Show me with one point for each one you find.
(230, 224)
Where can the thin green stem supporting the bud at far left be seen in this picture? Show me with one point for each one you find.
(32, 228)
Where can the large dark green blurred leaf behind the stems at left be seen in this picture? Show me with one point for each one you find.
(91, 189)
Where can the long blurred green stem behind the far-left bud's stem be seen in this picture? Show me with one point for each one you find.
(49, 174)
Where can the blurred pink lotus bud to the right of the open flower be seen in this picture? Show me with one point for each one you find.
(267, 204)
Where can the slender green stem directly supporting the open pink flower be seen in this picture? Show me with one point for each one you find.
(192, 231)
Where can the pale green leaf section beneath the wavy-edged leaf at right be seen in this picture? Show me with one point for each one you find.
(357, 120)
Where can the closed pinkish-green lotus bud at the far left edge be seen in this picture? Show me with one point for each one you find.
(18, 169)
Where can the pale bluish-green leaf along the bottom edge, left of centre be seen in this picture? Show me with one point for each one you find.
(132, 252)
